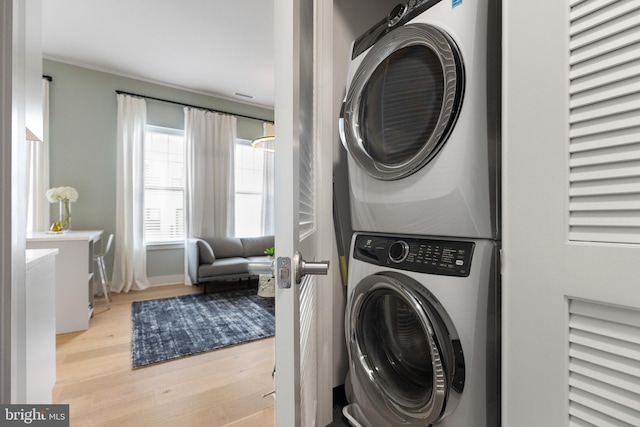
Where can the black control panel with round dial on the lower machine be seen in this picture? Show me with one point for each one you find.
(431, 256)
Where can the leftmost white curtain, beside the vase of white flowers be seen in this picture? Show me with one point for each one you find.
(38, 172)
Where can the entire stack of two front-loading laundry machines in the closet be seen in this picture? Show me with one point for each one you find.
(420, 122)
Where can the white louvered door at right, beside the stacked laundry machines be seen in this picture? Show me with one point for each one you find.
(571, 213)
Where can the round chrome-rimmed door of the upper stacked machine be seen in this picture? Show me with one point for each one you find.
(403, 101)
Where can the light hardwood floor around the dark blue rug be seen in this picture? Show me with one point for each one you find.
(220, 388)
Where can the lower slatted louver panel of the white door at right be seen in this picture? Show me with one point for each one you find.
(604, 374)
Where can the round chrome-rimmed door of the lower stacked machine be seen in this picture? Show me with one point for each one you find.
(404, 349)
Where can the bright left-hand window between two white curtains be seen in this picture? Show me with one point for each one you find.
(164, 180)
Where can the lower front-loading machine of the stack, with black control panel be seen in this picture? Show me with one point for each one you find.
(422, 330)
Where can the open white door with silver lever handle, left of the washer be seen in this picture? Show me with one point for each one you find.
(302, 201)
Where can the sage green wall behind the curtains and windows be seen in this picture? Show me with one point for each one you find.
(82, 136)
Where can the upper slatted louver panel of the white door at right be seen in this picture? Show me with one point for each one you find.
(604, 121)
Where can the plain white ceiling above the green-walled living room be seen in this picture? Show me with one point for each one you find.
(217, 47)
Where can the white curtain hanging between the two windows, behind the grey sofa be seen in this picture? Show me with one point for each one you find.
(210, 187)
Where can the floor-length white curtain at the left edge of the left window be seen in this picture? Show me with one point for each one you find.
(130, 261)
